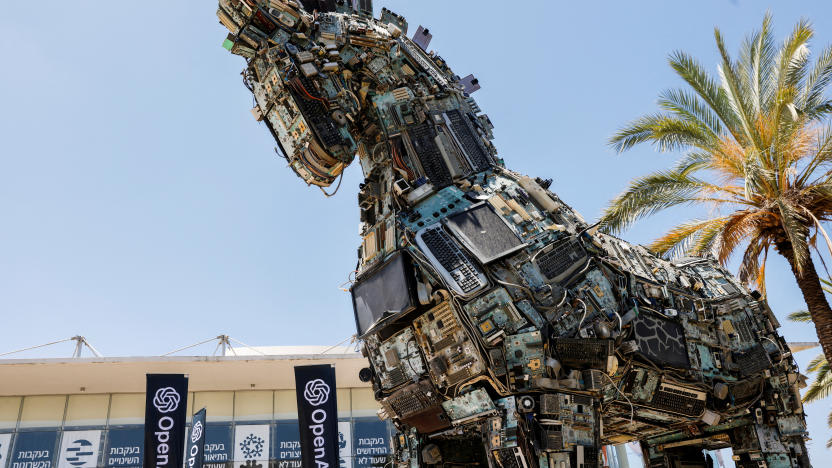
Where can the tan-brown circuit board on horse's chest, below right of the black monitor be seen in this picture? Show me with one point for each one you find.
(452, 356)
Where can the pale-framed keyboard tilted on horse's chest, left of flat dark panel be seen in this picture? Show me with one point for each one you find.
(454, 264)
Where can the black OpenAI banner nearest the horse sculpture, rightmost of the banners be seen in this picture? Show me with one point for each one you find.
(317, 415)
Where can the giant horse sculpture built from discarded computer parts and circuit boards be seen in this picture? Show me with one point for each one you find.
(501, 328)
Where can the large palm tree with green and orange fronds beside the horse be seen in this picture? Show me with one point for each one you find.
(757, 147)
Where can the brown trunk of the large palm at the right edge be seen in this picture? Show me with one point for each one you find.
(813, 294)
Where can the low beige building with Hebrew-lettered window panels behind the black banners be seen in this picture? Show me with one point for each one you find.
(89, 412)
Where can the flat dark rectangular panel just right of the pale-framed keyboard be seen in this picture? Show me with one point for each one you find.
(485, 233)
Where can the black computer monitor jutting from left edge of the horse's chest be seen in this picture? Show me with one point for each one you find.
(383, 292)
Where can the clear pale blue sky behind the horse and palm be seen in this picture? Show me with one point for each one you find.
(143, 207)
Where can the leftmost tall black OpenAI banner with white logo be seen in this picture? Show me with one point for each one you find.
(164, 420)
